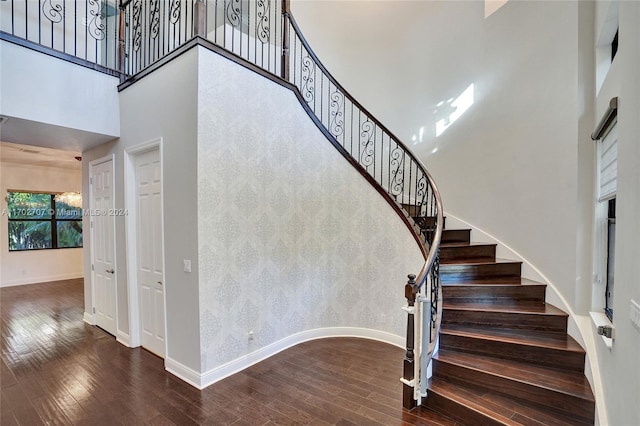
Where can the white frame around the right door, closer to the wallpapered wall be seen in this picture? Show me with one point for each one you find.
(130, 155)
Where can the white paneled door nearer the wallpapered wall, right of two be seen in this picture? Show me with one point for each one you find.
(150, 251)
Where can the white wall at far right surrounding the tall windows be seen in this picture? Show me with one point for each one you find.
(619, 364)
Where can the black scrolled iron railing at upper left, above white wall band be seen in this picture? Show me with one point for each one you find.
(87, 29)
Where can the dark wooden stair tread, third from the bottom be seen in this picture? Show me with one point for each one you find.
(537, 338)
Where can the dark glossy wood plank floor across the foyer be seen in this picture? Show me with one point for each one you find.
(56, 369)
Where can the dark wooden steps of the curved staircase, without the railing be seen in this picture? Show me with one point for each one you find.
(505, 356)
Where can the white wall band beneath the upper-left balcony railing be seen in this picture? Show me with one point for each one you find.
(44, 89)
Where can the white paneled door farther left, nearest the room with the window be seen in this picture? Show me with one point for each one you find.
(103, 245)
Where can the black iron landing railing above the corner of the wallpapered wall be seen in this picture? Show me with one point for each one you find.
(249, 29)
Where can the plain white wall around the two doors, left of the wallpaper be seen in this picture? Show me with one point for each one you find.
(162, 104)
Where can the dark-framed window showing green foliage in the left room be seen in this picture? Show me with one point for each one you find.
(44, 221)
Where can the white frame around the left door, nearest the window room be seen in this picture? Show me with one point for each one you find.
(92, 208)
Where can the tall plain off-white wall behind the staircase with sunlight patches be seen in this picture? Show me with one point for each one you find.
(508, 164)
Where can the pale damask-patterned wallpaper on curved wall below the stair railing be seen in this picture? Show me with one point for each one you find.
(291, 238)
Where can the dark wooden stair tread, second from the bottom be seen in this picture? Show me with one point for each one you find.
(563, 382)
